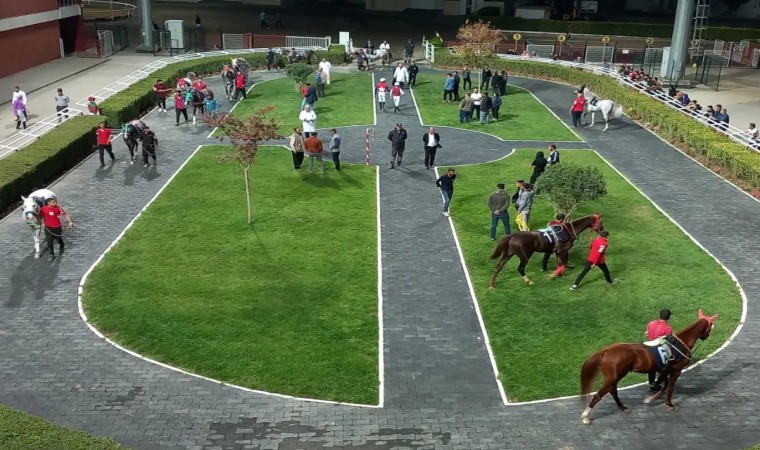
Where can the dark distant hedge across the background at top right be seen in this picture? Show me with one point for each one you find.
(659, 30)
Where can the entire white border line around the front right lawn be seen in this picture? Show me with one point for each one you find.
(725, 344)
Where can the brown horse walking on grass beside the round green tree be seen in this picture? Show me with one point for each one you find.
(525, 243)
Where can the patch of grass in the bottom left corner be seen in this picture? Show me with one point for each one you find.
(21, 431)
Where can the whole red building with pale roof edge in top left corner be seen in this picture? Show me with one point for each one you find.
(38, 31)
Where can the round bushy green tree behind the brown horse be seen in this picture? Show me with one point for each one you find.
(568, 185)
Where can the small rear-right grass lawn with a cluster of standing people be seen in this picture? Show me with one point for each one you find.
(521, 117)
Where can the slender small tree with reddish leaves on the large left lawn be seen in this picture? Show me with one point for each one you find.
(244, 135)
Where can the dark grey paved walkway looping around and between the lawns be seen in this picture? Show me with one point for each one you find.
(440, 391)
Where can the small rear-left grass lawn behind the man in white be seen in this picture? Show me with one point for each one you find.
(347, 101)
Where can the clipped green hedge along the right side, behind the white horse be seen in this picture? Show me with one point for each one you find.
(677, 128)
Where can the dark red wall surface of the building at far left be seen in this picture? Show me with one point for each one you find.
(28, 47)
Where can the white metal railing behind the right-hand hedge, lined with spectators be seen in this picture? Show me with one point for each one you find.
(735, 134)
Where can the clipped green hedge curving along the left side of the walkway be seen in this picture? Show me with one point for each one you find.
(51, 155)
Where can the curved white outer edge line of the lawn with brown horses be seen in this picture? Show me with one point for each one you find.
(698, 244)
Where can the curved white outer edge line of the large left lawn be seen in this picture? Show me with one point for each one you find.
(92, 328)
